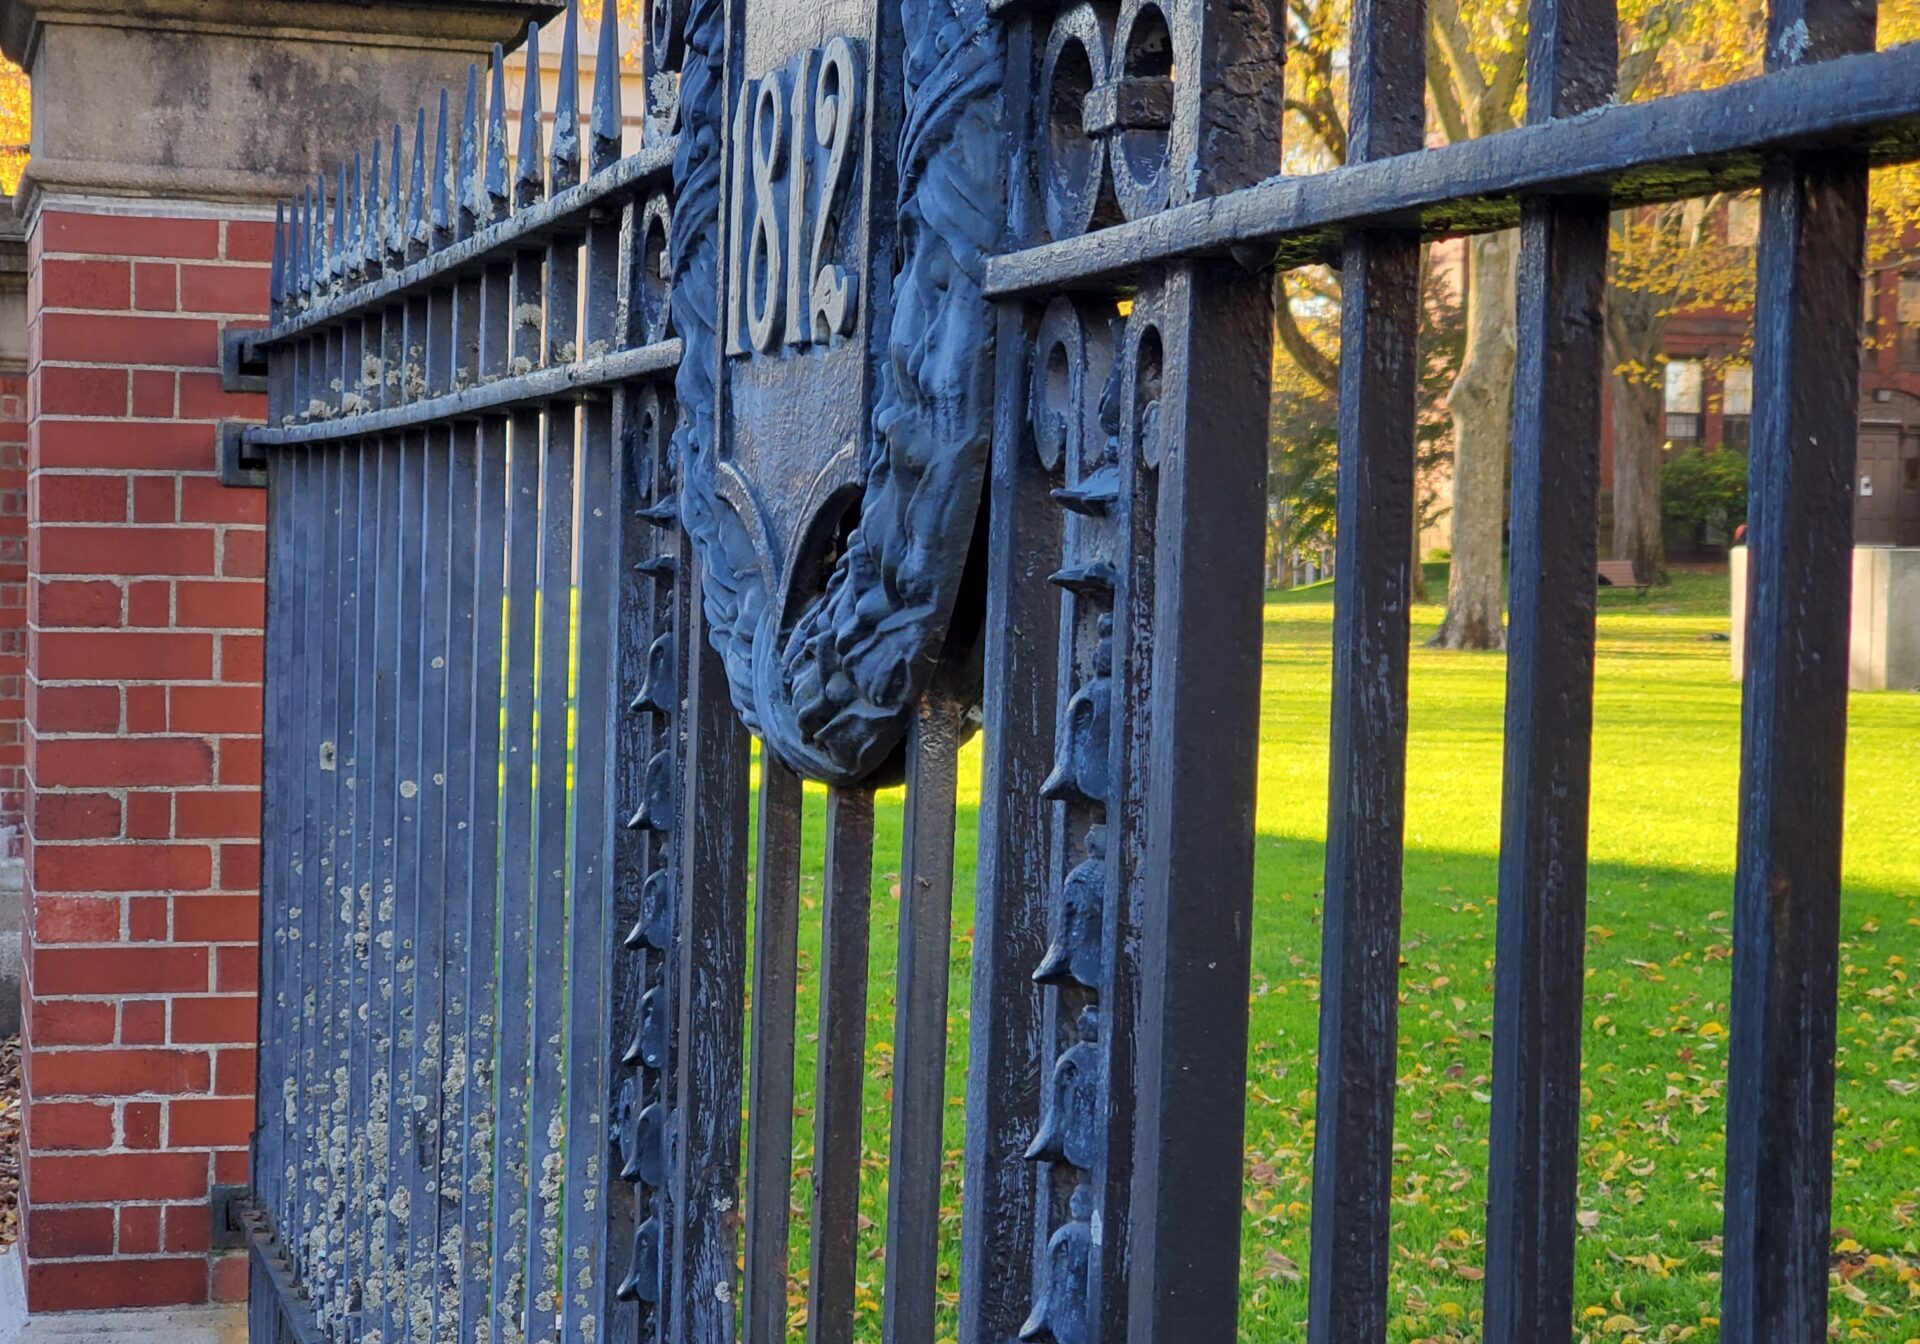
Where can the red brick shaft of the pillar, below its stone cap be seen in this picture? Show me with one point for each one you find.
(143, 757)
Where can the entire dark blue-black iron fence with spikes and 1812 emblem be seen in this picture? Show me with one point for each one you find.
(913, 381)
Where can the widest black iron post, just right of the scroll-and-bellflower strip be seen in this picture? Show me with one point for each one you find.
(1209, 372)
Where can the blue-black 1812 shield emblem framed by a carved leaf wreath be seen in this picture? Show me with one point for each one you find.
(834, 496)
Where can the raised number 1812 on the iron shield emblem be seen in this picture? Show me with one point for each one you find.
(779, 137)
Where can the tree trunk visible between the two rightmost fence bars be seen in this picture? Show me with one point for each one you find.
(1637, 325)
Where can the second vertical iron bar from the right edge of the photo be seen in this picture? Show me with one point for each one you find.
(1535, 1143)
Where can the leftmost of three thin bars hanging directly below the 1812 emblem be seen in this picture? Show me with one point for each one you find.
(777, 928)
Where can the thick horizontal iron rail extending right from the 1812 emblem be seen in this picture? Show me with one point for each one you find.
(1637, 155)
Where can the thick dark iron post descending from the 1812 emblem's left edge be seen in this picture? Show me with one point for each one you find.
(709, 1003)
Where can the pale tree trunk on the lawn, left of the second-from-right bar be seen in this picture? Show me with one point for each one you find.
(1483, 439)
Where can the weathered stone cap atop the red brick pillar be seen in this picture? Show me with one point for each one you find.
(235, 101)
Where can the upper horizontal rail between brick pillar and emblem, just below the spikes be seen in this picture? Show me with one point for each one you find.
(535, 228)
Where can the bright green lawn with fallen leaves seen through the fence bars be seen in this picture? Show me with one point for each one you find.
(1668, 757)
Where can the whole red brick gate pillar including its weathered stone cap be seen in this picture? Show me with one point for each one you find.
(162, 135)
